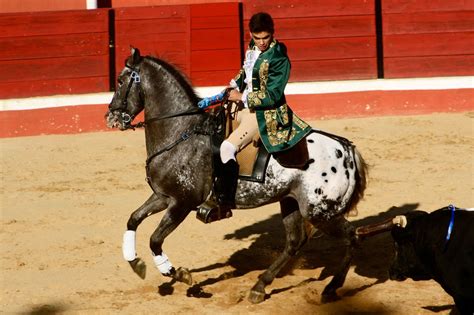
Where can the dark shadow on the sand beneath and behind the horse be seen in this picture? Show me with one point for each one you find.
(371, 260)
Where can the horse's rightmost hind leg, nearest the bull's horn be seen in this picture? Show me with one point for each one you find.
(341, 228)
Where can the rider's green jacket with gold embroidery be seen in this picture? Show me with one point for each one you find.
(279, 127)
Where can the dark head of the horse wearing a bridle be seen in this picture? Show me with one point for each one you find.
(127, 101)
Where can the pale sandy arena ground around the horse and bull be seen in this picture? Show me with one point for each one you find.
(65, 201)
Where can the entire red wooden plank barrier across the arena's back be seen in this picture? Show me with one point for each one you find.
(67, 52)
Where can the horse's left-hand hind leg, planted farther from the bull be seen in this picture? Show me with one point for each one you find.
(296, 237)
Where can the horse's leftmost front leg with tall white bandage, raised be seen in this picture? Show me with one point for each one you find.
(154, 204)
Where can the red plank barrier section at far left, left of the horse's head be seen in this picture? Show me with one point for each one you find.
(47, 53)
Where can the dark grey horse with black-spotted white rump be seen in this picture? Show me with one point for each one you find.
(179, 172)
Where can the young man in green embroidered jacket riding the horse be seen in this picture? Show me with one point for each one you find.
(260, 86)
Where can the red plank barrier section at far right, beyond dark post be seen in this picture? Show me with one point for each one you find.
(428, 38)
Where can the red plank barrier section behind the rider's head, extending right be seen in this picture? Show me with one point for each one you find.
(326, 40)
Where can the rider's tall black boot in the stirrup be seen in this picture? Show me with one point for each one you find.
(225, 186)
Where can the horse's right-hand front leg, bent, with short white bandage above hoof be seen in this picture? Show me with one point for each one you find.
(170, 221)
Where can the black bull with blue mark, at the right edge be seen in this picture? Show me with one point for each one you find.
(437, 245)
